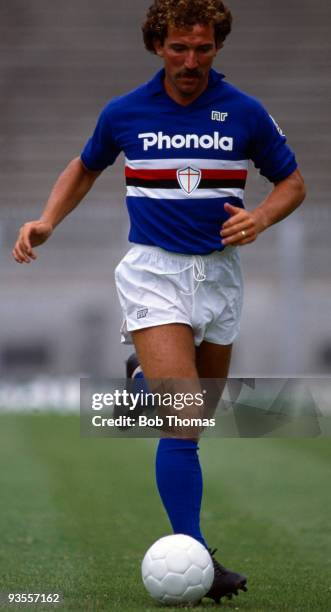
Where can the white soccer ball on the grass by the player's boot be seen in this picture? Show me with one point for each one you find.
(177, 569)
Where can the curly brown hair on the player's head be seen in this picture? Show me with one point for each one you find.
(185, 13)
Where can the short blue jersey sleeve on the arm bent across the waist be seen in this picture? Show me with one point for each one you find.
(268, 149)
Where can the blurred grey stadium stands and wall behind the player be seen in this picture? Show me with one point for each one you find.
(60, 63)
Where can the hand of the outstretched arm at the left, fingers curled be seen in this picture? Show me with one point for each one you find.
(31, 234)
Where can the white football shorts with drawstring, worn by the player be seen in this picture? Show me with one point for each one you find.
(157, 287)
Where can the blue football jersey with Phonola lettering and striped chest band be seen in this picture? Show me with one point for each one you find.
(183, 163)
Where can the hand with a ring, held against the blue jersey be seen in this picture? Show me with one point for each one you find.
(242, 228)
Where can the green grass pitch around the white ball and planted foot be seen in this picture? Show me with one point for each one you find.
(78, 514)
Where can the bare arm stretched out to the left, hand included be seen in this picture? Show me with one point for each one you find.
(70, 188)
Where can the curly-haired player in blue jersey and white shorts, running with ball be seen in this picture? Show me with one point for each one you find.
(187, 135)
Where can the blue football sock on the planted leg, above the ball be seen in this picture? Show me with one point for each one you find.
(179, 480)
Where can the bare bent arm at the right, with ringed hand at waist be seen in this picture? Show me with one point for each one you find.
(244, 226)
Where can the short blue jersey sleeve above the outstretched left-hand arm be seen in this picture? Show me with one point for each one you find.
(101, 149)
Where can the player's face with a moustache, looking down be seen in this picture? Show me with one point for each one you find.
(188, 55)
